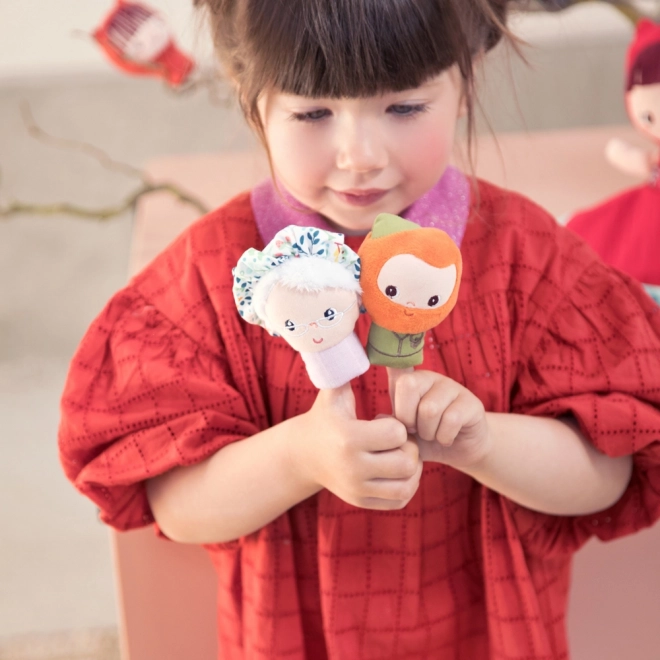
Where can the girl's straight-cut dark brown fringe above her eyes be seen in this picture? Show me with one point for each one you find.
(349, 49)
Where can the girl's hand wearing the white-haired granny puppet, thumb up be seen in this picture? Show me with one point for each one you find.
(369, 464)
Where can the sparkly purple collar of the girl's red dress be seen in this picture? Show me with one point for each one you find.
(446, 206)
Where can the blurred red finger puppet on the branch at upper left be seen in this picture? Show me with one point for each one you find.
(138, 41)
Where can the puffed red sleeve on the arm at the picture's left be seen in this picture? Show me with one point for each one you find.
(141, 398)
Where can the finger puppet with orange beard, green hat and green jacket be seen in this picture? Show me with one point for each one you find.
(410, 280)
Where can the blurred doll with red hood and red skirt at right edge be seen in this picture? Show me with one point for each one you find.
(625, 229)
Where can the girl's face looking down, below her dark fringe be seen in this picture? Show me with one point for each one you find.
(350, 159)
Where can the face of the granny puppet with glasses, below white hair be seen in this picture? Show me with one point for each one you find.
(312, 322)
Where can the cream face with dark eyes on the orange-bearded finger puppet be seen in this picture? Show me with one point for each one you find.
(416, 285)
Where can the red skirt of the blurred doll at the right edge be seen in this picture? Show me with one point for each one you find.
(625, 231)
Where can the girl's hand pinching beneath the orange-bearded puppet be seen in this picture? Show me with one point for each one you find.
(448, 419)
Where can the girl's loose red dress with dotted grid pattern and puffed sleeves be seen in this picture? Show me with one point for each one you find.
(168, 374)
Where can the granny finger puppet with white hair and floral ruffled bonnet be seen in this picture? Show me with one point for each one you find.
(305, 287)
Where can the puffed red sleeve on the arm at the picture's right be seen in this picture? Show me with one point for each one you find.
(595, 355)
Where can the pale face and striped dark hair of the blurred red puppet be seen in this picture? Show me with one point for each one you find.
(138, 34)
